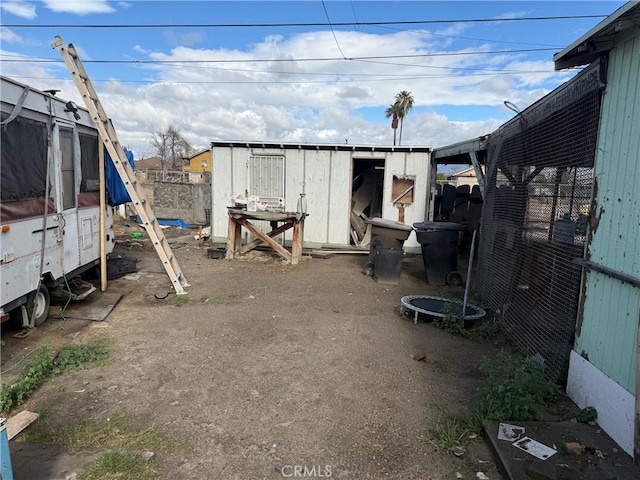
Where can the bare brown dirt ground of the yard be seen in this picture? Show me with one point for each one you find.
(264, 368)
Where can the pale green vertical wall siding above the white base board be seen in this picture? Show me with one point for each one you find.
(608, 334)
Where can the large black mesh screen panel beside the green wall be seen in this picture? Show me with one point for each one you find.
(539, 182)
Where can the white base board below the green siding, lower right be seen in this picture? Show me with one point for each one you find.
(587, 386)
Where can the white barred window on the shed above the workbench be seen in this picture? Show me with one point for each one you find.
(266, 178)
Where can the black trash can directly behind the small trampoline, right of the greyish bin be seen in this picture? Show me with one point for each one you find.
(439, 242)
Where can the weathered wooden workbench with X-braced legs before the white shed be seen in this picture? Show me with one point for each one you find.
(280, 222)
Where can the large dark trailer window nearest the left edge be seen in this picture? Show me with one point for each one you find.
(23, 147)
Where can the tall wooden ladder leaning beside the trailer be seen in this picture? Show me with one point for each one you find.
(126, 173)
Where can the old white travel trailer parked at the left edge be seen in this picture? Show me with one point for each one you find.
(50, 201)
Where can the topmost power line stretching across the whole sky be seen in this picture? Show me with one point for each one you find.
(310, 24)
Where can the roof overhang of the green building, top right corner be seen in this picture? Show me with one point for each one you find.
(599, 39)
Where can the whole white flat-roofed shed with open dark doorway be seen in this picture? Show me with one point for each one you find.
(338, 181)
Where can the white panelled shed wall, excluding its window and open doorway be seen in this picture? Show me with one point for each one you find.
(326, 177)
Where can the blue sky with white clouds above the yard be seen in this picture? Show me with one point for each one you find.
(303, 72)
